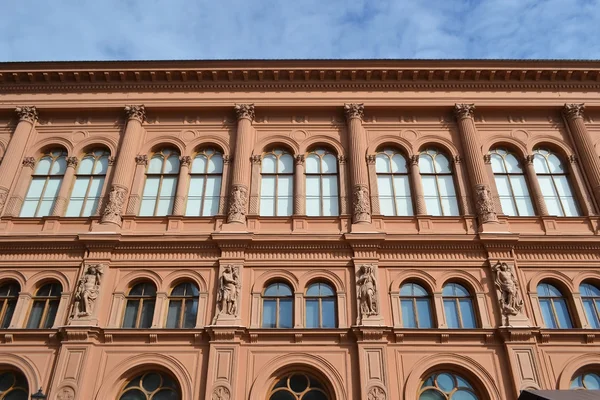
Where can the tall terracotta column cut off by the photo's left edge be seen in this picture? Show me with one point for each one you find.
(15, 149)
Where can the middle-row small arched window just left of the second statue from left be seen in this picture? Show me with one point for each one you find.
(183, 306)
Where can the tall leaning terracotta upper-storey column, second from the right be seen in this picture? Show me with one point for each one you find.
(482, 194)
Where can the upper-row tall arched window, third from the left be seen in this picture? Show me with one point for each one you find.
(161, 184)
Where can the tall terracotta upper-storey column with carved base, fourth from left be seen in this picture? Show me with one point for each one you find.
(361, 205)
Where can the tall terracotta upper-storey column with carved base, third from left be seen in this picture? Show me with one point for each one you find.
(238, 198)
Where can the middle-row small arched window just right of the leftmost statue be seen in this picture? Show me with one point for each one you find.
(139, 310)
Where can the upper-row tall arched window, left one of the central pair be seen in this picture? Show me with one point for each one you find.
(277, 183)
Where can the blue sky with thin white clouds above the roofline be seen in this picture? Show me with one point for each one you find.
(48, 30)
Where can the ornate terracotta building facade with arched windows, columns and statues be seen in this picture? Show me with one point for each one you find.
(299, 230)
